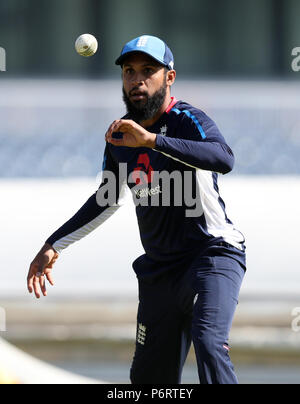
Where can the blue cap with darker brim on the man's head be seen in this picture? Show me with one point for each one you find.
(150, 45)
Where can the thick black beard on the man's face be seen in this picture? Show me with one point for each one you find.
(143, 112)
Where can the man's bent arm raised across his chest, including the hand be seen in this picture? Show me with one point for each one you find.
(198, 145)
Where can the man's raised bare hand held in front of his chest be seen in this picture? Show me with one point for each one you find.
(134, 135)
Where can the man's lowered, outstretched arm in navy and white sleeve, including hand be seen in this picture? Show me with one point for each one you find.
(87, 219)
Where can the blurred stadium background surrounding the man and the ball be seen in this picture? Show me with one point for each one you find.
(234, 61)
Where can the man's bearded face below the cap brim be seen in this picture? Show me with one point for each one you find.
(144, 86)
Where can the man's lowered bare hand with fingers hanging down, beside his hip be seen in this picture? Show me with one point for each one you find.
(40, 267)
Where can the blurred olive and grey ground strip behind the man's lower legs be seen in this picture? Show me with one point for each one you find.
(110, 361)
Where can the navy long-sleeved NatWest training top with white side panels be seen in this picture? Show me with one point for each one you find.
(180, 217)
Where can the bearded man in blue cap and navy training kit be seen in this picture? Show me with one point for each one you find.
(194, 261)
